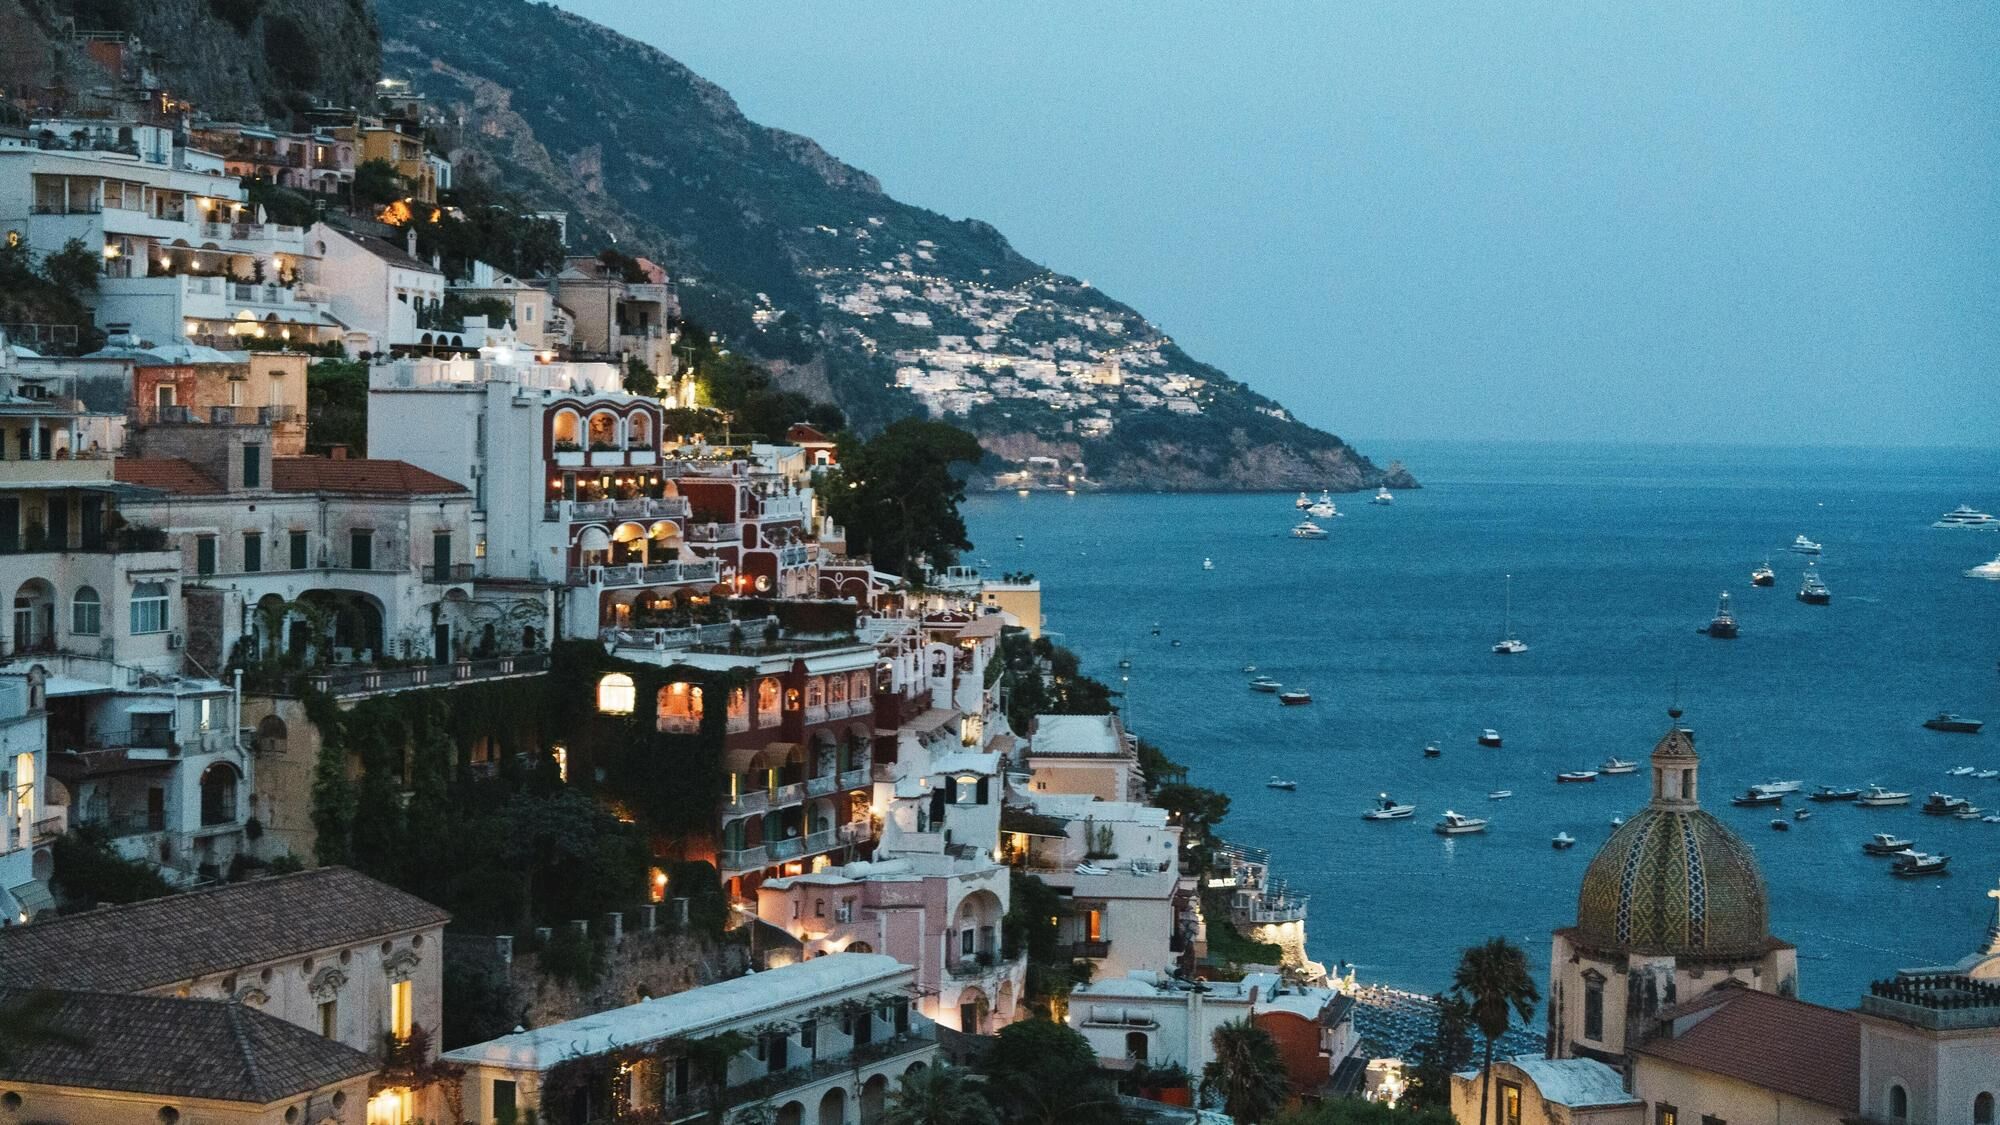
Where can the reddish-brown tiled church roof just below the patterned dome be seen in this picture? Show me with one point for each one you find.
(1771, 1042)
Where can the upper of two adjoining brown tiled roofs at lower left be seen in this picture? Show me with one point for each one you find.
(179, 938)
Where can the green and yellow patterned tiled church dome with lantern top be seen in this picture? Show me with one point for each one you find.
(1673, 880)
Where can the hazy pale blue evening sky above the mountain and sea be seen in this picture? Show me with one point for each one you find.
(1573, 221)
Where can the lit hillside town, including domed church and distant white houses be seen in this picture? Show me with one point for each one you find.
(545, 748)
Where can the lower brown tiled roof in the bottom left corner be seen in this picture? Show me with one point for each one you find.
(173, 1048)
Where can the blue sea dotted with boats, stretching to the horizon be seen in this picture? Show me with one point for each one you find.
(1617, 557)
